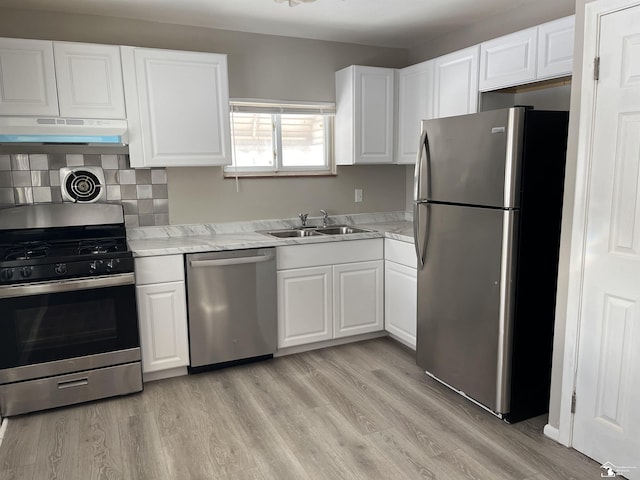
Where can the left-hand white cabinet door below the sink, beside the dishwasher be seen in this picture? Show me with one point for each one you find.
(304, 306)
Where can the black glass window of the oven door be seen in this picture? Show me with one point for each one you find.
(43, 328)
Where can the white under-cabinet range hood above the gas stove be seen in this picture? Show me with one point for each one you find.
(56, 130)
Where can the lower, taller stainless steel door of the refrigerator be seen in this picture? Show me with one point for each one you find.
(465, 300)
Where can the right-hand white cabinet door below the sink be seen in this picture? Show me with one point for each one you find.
(358, 298)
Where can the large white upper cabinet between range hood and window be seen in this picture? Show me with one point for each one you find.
(177, 107)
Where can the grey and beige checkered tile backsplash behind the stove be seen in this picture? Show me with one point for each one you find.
(35, 178)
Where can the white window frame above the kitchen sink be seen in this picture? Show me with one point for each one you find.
(276, 107)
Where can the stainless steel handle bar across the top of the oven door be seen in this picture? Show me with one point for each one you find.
(60, 286)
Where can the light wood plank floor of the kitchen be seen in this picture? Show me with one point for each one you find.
(361, 411)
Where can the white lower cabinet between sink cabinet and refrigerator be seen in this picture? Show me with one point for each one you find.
(400, 291)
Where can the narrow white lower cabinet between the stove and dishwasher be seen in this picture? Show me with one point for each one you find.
(162, 312)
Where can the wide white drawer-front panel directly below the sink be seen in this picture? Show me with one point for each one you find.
(313, 255)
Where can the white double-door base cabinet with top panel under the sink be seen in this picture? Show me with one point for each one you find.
(329, 290)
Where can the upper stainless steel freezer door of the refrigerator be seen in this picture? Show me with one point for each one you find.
(471, 159)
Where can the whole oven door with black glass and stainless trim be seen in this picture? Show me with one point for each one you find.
(49, 328)
